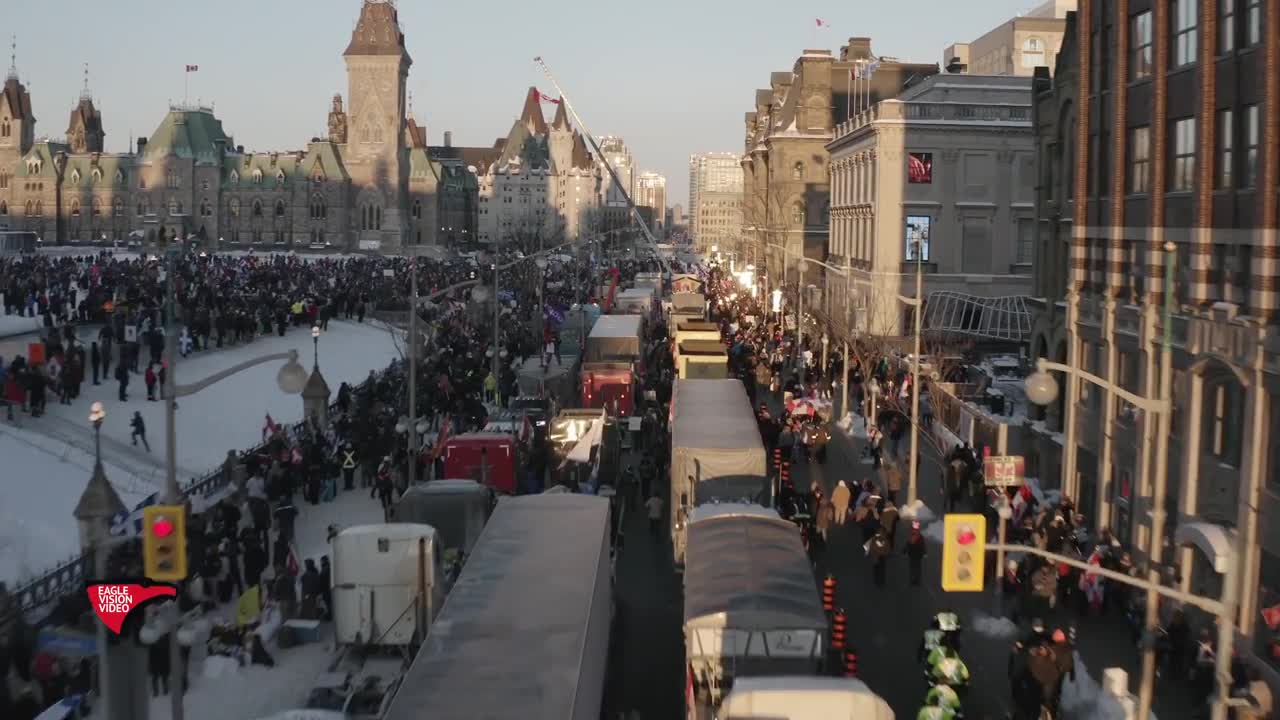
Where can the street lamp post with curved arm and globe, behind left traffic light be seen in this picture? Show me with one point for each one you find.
(291, 379)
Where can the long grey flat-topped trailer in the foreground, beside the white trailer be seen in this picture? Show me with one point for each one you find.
(525, 632)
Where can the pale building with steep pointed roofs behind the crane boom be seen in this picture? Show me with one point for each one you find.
(540, 186)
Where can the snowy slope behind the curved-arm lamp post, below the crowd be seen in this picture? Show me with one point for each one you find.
(231, 416)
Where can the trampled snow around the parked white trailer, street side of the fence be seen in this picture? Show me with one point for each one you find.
(253, 692)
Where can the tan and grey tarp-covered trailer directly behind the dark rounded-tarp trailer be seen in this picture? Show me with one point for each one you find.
(716, 452)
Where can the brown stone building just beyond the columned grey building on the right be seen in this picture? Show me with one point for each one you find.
(787, 179)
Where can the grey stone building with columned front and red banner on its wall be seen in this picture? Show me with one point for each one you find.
(948, 170)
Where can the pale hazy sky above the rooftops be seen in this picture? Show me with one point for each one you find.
(671, 78)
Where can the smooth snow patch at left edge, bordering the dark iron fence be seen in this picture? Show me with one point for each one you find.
(43, 482)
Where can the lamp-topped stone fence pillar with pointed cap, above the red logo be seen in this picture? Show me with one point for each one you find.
(94, 513)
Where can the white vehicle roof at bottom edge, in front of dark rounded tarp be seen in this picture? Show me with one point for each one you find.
(801, 698)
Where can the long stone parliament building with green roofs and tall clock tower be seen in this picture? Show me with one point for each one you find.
(371, 185)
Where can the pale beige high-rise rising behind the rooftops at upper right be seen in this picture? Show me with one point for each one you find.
(1017, 47)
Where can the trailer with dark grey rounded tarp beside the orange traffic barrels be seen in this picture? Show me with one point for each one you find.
(752, 607)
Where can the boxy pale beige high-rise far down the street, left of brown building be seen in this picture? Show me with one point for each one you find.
(715, 199)
